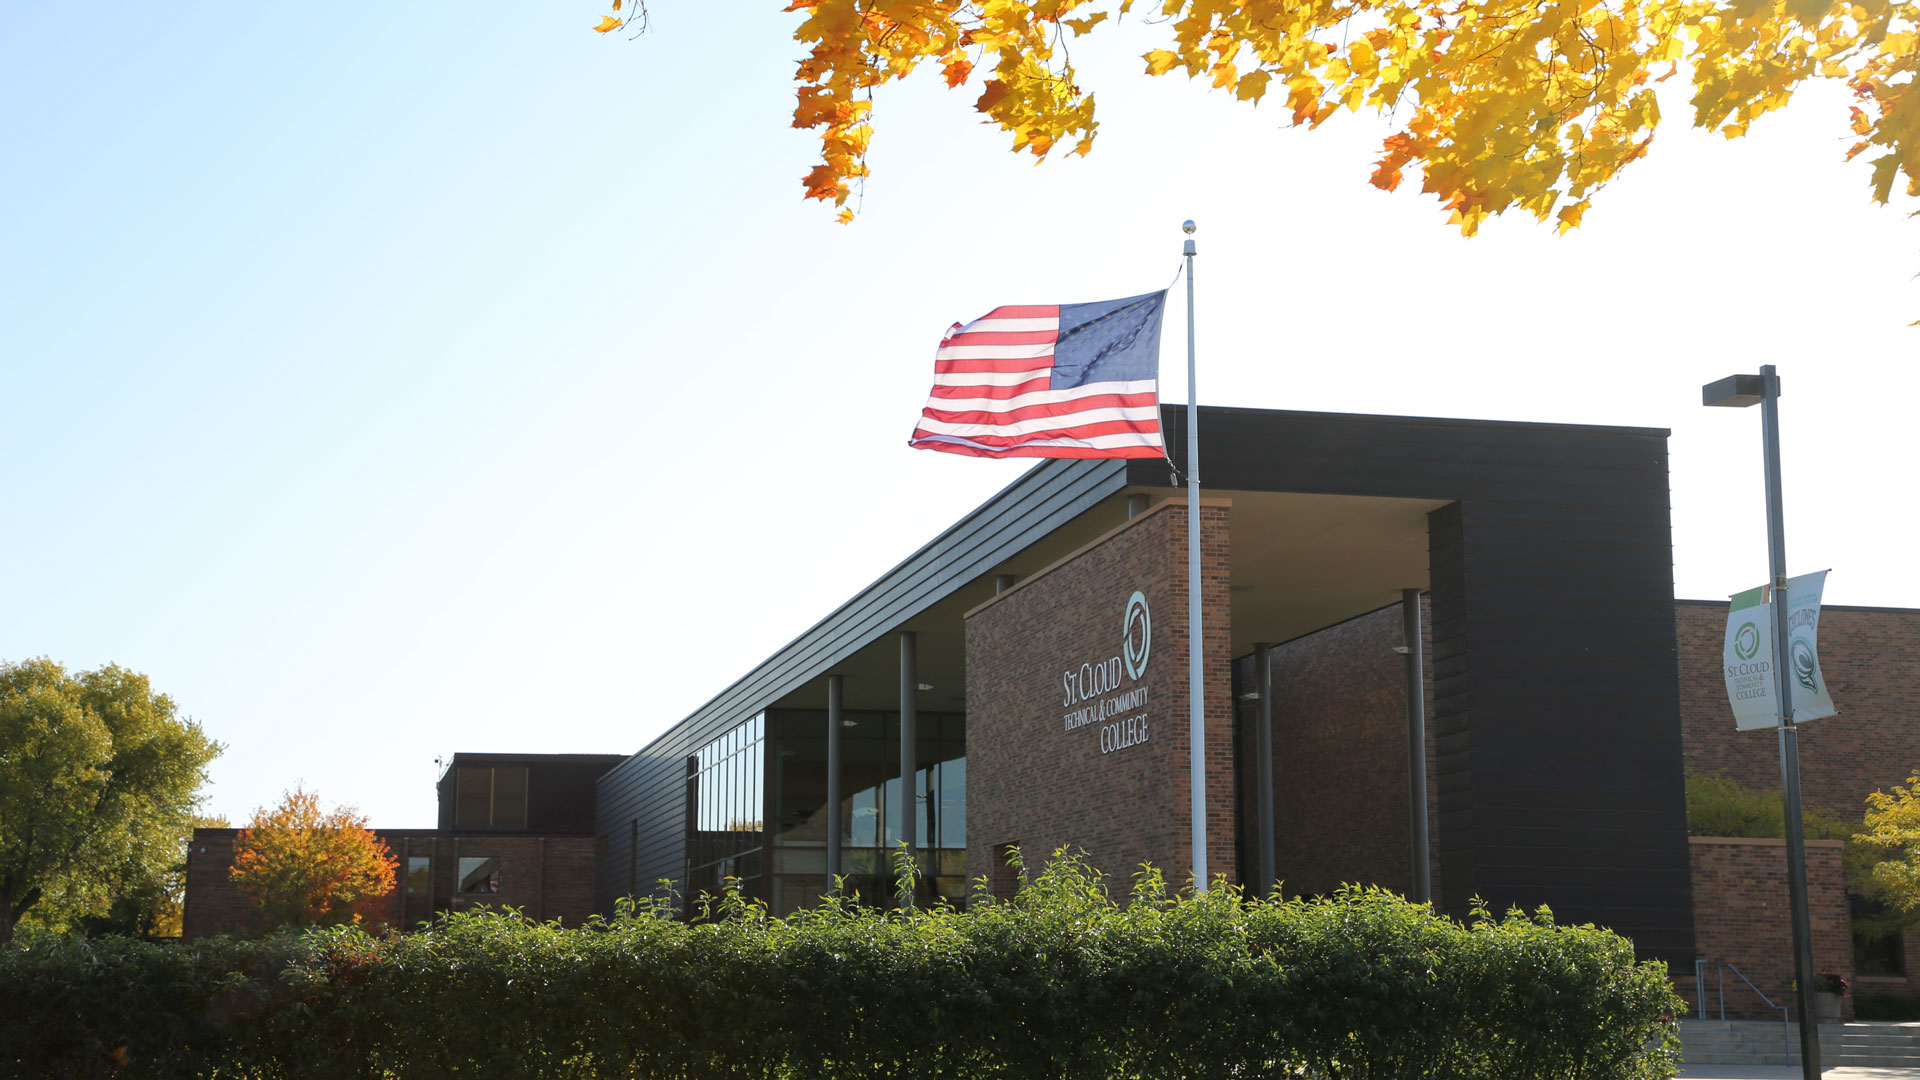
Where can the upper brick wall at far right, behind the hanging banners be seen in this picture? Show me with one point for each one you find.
(1871, 660)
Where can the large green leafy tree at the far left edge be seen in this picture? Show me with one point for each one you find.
(99, 785)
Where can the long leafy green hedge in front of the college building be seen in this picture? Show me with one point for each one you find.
(1059, 983)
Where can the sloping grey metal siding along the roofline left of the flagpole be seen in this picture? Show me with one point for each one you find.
(652, 787)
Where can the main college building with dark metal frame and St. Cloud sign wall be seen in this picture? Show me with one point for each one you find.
(1038, 654)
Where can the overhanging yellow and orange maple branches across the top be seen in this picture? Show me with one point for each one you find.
(1502, 105)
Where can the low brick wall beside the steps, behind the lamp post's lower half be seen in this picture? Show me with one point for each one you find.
(1742, 918)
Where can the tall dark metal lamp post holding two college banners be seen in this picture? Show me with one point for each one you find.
(1764, 389)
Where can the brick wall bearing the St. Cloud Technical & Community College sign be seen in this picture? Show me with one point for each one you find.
(1040, 785)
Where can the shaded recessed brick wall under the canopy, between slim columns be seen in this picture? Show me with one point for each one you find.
(1341, 758)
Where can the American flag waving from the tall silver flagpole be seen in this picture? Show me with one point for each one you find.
(1049, 381)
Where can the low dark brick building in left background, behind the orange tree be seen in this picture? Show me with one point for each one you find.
(516, 831)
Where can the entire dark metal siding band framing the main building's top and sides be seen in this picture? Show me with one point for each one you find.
(1556, 700)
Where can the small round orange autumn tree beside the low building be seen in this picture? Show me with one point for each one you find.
(306, 868)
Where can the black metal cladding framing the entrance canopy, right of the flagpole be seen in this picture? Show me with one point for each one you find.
(1556, 674)
